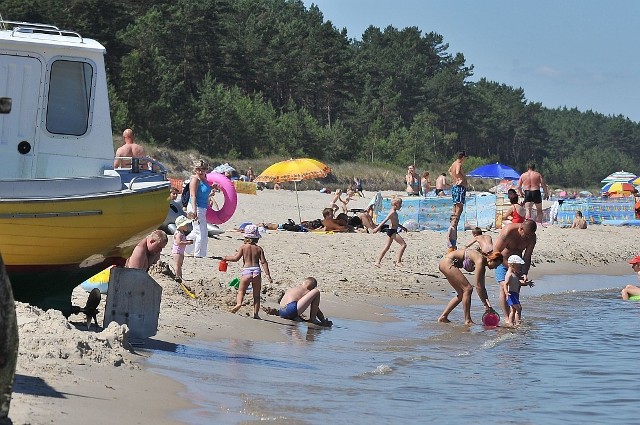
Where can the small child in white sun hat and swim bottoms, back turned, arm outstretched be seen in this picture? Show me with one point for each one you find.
(252, 256)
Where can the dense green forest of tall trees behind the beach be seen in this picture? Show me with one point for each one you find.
(250, 78)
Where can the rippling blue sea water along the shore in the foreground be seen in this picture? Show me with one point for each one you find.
(572, 361)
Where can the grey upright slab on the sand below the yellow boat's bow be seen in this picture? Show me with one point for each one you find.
(133, 299)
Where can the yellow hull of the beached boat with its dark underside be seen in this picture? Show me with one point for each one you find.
(49, 246)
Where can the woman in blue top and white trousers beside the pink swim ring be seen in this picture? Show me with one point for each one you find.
(199, 191)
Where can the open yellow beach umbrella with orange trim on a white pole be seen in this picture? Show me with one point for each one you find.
(294, 170)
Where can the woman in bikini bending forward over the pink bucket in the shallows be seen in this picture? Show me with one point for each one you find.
(470, 260)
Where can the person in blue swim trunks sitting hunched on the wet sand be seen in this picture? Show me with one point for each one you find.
(296, 300)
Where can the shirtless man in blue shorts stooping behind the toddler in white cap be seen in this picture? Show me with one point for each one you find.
(514, 239)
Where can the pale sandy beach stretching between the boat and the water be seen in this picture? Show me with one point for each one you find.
(69, 375)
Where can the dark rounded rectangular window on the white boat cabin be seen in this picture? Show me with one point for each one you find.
(69, 97)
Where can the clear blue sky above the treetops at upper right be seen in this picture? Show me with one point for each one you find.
(581, 54)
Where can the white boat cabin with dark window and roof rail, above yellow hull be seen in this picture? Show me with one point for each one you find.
(54, 108)
